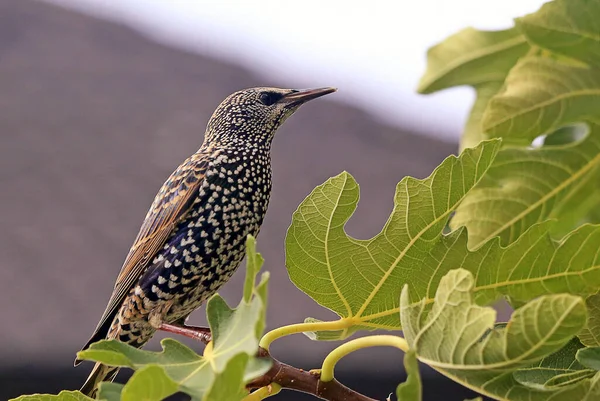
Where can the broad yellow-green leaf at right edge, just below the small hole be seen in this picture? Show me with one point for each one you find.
(526, 186)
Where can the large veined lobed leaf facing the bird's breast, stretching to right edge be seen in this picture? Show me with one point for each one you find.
(324, 260)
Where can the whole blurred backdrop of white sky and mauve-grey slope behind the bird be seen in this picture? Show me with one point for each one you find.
(101, 99)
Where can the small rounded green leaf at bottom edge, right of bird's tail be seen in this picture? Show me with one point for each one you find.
(149, 383)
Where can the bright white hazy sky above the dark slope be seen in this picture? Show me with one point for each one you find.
(373, 51)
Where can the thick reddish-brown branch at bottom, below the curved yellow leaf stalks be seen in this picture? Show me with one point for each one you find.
(293, 378)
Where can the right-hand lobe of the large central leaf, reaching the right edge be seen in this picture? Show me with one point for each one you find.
(534, 265)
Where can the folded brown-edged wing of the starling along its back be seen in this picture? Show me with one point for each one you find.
(170, 206)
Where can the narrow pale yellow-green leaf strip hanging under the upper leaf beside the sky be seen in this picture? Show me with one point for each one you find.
(473, 133)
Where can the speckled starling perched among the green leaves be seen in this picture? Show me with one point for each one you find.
(193, 236)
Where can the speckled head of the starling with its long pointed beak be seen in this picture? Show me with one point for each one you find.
(251, 116)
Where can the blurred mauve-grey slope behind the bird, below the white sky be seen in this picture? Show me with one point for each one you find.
(93, 118)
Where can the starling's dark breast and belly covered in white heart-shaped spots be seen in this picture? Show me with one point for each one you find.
(209, 243)
